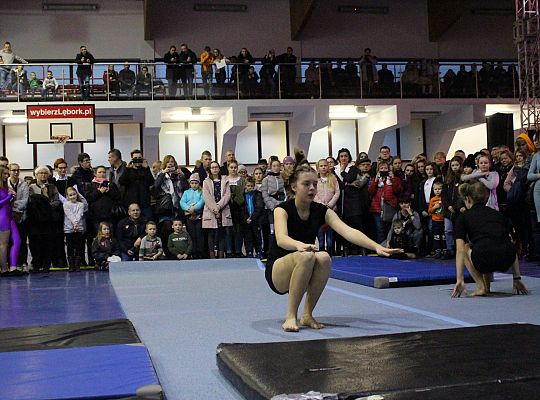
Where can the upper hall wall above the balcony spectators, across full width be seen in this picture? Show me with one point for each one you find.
(117, 30)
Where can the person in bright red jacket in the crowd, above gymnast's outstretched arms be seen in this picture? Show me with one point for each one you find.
(384, 190)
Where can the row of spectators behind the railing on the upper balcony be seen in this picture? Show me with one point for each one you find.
(209, 75)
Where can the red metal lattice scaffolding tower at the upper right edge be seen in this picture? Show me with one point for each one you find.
(527, 38)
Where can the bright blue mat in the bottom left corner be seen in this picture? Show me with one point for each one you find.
(101, 372)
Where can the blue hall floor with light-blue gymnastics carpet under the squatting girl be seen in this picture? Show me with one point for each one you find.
(182, 311)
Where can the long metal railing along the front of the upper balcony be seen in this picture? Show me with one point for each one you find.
(235, 81)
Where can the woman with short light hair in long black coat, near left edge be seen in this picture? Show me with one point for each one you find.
(43, 216)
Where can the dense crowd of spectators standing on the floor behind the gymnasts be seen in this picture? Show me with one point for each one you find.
(135, 210)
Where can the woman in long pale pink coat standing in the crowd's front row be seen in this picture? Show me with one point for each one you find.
(216, 213)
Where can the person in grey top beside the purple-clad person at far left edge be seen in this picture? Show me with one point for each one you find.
(20, 191)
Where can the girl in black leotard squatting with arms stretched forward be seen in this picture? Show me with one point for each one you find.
(295, 265)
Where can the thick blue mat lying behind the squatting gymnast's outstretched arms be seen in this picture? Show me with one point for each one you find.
(381, 273)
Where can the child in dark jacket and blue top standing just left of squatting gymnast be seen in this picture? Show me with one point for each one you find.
(252, 212)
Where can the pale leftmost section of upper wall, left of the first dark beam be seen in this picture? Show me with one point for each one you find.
(115, 31)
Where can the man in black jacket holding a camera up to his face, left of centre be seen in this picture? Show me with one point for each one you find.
(137, 180)
